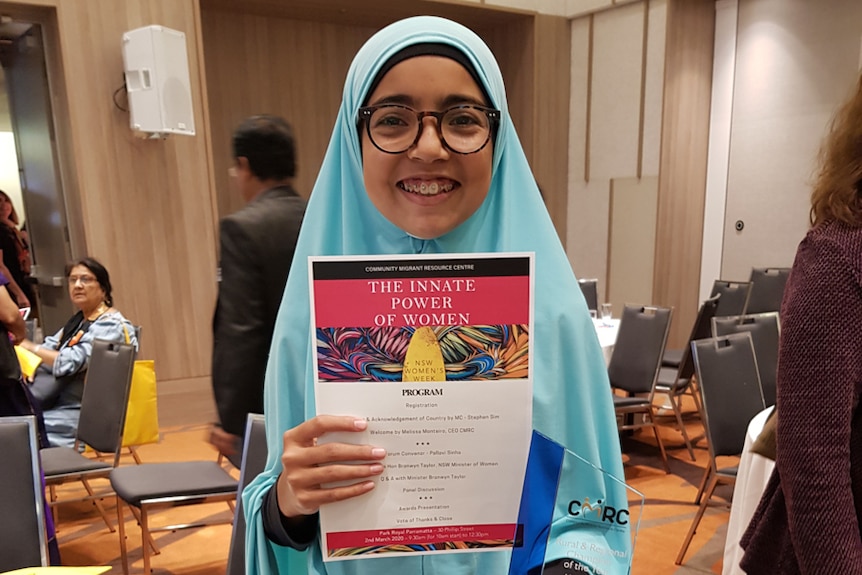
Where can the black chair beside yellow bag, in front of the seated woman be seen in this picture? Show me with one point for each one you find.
(103, 414)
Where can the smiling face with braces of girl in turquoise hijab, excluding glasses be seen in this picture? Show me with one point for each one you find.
(399, 185)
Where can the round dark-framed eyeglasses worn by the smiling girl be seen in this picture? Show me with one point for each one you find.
(394, 128)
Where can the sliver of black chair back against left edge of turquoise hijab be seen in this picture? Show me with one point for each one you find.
(253, 461)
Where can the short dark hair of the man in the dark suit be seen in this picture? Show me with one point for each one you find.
(267, 142)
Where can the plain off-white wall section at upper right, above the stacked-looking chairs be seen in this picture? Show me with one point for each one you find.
(795, 62)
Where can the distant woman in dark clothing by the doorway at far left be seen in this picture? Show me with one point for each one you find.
(14, 253)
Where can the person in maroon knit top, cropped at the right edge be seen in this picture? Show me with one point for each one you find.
(808, 517)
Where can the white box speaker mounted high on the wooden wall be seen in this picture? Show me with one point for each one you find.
(156, 68)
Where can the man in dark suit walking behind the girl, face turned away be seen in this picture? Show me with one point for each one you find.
(257, 245)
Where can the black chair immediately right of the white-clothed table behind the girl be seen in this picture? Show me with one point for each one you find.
(635, 364)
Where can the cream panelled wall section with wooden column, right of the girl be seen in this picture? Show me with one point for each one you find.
(641, 77)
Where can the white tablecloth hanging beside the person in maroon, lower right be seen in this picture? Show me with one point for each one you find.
(751, 478)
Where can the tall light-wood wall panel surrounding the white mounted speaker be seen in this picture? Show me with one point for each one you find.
(143, 206)
